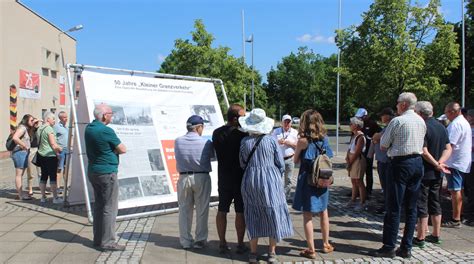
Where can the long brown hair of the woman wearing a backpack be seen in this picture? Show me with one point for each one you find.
(312, 125)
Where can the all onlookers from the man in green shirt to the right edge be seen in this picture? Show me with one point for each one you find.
(413, 151)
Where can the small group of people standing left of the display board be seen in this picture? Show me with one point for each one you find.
(44, 143)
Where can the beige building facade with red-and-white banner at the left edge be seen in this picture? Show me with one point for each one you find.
(30, 59)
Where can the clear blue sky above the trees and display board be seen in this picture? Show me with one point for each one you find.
(139, 34)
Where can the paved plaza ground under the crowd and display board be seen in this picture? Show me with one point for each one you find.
(34, 233)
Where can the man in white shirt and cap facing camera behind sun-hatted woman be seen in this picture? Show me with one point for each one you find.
(287, 138)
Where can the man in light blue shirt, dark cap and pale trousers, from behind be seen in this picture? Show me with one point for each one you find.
(193, 162)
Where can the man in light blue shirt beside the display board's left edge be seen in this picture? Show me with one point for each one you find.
(62, 134)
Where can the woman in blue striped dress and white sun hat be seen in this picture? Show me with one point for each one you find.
(265, 209)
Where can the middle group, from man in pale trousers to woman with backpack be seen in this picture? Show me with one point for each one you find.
(255, 174)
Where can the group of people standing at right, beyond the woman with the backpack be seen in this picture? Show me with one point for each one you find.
(414, 151)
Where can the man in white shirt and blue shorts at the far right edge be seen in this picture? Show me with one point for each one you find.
(459, 163)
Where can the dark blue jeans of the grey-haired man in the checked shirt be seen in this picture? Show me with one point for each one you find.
(402, 187)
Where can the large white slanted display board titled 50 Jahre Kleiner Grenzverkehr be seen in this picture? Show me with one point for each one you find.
(149, 114)
